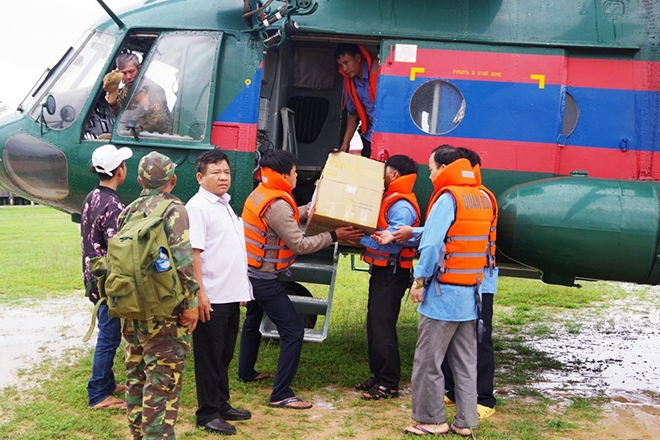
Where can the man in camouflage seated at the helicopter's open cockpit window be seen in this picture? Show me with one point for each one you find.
(149, 103)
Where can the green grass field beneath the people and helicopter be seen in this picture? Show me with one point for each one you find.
(39, 257)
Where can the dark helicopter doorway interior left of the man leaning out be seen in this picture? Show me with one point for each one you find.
(302, 107)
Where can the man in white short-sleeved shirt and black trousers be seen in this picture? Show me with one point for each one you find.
(220, 263)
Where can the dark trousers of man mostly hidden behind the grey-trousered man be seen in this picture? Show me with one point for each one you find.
(485, 359)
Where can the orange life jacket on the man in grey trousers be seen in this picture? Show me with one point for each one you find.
(466, 244)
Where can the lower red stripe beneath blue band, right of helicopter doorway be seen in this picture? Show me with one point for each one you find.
(533, 157)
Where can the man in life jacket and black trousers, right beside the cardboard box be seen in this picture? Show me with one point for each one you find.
(390, 267)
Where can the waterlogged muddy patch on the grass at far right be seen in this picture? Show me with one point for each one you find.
(608, 351)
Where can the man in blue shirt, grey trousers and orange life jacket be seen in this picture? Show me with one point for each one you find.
(446, 283)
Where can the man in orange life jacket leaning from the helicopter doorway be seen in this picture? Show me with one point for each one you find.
(357, 66)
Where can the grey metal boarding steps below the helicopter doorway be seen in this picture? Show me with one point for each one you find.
(317, 268)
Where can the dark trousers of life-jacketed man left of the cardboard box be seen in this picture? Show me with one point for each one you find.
(270, 297)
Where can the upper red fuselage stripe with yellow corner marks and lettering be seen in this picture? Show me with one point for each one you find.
(519, 67)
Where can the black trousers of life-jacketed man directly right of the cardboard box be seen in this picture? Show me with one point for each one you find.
(386, 289)
